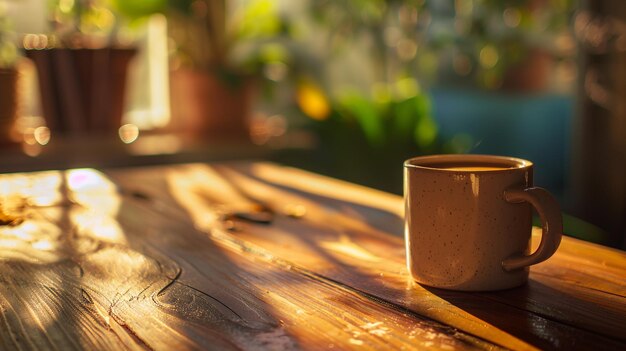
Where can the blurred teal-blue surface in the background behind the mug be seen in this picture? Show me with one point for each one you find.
(533, 127)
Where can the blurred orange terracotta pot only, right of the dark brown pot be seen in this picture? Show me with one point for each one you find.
(210, 105)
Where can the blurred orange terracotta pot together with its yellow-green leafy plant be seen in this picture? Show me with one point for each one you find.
(212, 92)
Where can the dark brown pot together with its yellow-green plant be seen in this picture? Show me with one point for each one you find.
(81, 69)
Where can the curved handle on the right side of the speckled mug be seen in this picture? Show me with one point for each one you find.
(551, 223)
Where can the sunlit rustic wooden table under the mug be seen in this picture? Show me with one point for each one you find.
(167, 258)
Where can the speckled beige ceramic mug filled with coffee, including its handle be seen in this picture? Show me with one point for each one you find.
(468, 221)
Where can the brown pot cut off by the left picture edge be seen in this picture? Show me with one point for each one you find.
(8, 104)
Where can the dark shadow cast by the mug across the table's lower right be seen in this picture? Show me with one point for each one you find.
(534, 313)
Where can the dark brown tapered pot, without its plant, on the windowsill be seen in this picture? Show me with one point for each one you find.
(82, 90)
